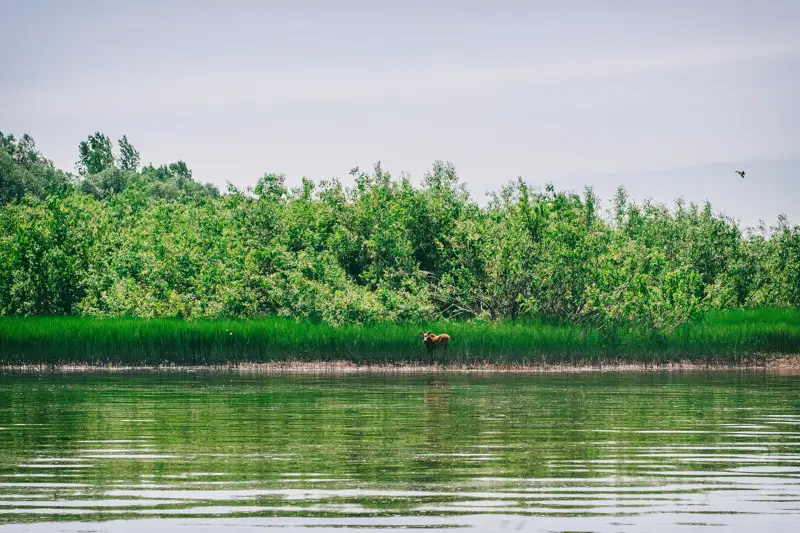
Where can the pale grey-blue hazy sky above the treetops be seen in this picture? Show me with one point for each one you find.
(666, 98)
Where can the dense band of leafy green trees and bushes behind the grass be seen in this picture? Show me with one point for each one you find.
(116, 238)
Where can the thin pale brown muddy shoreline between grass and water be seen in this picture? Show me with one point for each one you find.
(779, 364)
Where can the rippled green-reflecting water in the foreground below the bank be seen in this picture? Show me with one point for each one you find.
(224, 452)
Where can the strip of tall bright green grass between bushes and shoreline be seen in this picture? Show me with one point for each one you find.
(721, 336)
